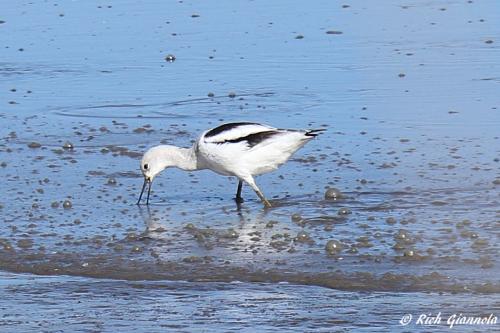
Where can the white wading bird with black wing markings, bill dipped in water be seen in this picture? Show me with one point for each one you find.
(240, 149)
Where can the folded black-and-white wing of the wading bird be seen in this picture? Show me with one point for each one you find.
(242, 132)
